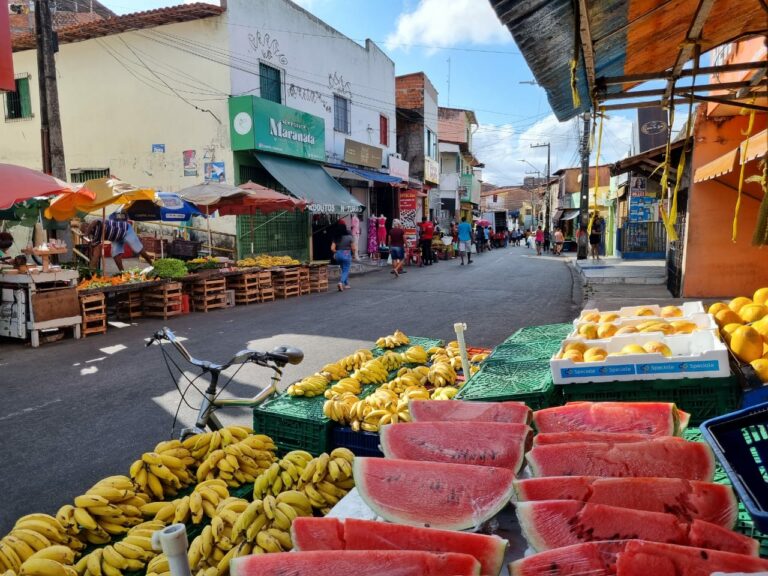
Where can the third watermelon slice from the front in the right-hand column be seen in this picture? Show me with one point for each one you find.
(687, 499)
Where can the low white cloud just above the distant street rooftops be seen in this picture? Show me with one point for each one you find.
(502, 148)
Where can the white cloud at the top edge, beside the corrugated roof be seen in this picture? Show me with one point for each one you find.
(440, 23)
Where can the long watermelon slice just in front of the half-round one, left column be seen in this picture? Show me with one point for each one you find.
(351, 534)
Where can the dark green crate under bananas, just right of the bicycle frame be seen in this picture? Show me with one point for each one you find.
(294, 423)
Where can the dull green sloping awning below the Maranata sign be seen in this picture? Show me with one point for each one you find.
(309, 181)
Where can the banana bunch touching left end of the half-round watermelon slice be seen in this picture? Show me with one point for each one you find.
(327, 479)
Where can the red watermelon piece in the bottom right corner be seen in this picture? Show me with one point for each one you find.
(643, 558)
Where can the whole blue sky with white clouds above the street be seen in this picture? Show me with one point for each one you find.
(473, 62)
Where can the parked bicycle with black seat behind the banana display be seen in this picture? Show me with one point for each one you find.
(277, 359)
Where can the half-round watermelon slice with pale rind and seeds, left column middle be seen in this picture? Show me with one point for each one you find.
(436, 494)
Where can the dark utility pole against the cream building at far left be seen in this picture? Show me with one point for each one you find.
(50, 121)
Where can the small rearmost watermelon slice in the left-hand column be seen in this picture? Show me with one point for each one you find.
(439, 410)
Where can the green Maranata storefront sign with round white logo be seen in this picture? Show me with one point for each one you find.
(258, 124)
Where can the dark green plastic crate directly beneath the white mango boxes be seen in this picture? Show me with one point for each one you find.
(703, 398)
